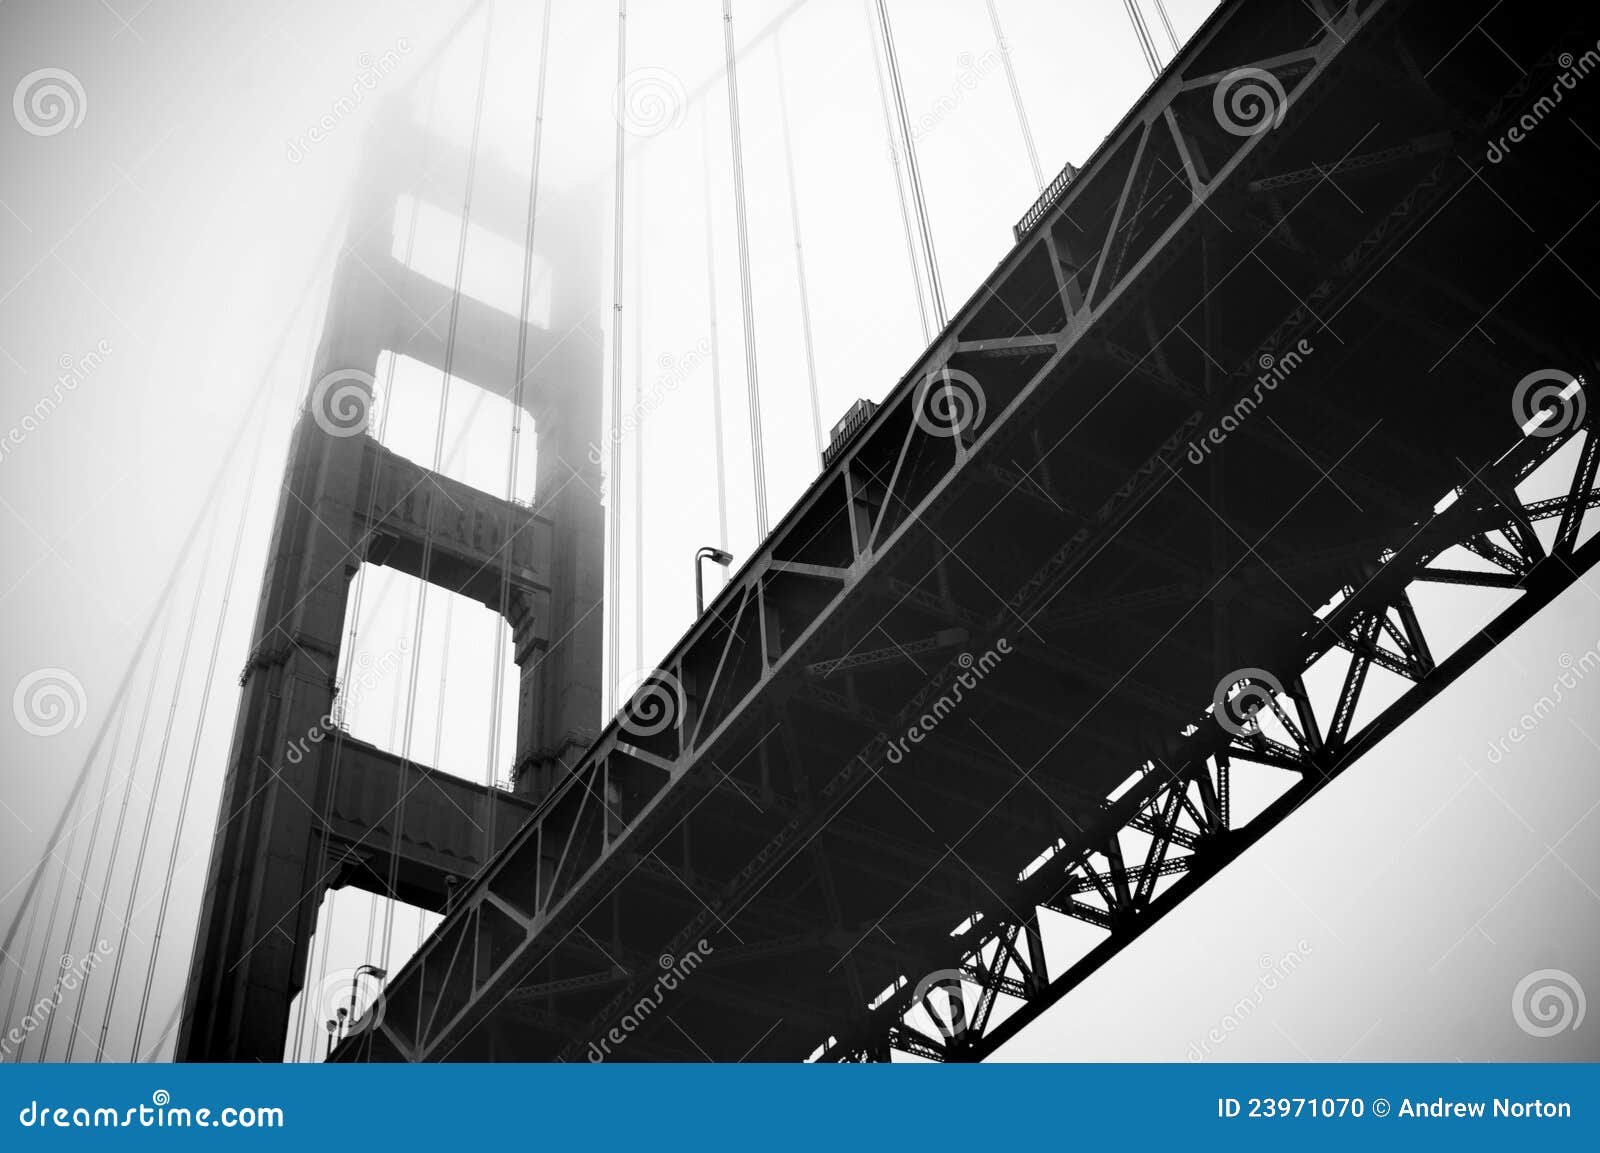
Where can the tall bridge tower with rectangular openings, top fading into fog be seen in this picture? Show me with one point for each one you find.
(294, 828)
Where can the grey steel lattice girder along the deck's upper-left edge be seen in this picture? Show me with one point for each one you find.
(868, 505)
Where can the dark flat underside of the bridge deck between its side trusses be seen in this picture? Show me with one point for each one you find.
(1401, 298)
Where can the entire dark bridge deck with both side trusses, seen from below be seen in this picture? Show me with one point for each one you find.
(1249, 378)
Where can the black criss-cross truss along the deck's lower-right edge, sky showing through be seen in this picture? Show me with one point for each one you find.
(1180, 805)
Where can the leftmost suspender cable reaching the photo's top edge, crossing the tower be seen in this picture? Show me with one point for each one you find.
(439, 453)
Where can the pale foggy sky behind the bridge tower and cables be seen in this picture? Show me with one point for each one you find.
(186, 218)
